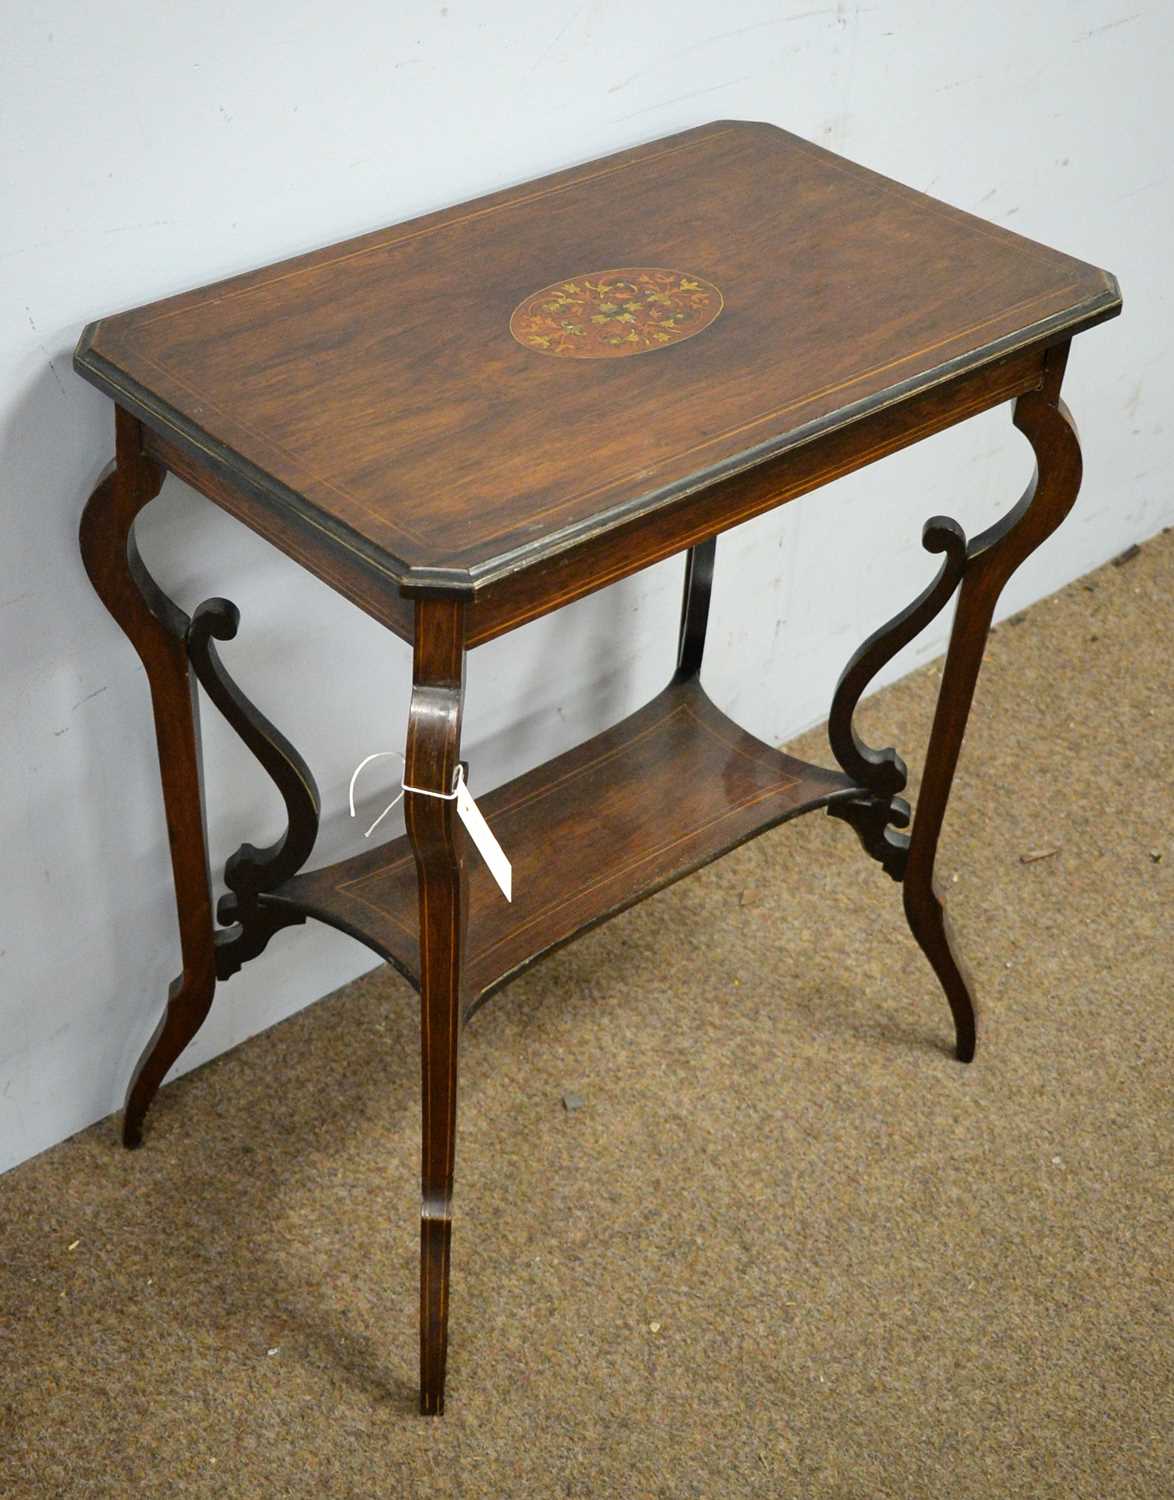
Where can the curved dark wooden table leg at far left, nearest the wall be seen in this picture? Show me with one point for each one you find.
(158, 631)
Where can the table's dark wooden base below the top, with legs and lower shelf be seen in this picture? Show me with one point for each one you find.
(410, 901)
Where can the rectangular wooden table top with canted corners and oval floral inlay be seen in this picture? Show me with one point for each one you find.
(476, 391)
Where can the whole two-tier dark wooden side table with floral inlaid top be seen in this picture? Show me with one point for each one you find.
(476, 418)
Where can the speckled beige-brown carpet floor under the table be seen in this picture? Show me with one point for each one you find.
(788, 1246)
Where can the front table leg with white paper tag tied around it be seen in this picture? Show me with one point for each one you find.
(437, 838)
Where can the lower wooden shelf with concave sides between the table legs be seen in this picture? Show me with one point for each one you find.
(591, 833)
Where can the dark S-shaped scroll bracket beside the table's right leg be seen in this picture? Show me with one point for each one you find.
(884, 773)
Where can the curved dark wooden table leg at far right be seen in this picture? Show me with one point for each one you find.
(992, 559)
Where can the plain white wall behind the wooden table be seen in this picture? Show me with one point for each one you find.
(152, 148)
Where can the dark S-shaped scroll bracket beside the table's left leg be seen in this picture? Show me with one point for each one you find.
(251, 872)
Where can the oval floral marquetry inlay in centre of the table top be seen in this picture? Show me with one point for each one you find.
(611, 314)
